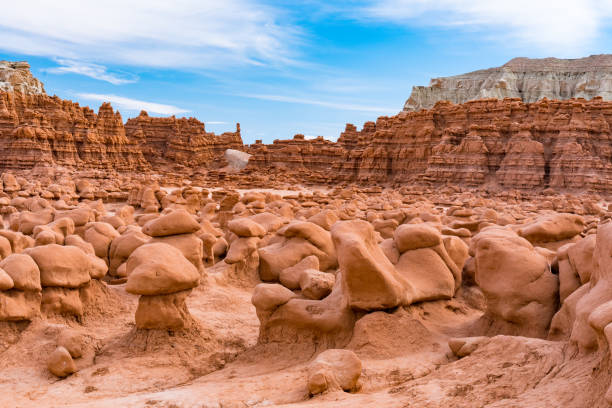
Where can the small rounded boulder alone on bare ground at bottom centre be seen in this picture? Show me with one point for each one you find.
(334, 369)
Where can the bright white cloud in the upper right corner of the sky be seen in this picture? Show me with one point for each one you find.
(558, 27)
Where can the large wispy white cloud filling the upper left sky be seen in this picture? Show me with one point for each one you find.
(155, 33)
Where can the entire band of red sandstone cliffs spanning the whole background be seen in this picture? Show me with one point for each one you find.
(506, 143)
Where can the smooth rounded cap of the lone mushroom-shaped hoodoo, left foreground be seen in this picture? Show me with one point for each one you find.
(159, 269)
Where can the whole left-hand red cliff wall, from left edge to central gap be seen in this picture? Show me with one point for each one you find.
(36, 129)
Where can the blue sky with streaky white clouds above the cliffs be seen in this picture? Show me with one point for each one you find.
(282, 67)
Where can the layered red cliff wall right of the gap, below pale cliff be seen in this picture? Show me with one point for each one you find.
(559, 144)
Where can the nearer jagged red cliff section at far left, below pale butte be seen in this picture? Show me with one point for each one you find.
(36, 129)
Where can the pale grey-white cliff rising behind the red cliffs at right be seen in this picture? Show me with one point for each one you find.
(528, 79)
